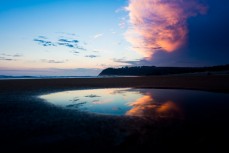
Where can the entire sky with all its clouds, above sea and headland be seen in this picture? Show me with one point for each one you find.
(82, 37)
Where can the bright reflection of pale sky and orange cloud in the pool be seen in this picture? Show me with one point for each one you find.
(127, 101)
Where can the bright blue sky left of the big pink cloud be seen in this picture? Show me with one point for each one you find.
(94, 24)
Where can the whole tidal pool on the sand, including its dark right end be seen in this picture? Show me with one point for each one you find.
(140, 102)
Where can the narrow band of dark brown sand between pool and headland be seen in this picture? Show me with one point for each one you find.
(207, 83)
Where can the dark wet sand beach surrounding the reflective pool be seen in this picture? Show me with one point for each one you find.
(29, 124)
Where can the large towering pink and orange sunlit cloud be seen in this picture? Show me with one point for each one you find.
(160, 25)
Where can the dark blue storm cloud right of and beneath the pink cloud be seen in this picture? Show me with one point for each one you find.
(207, 40)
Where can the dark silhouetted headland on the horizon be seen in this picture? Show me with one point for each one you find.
(153, 70)
